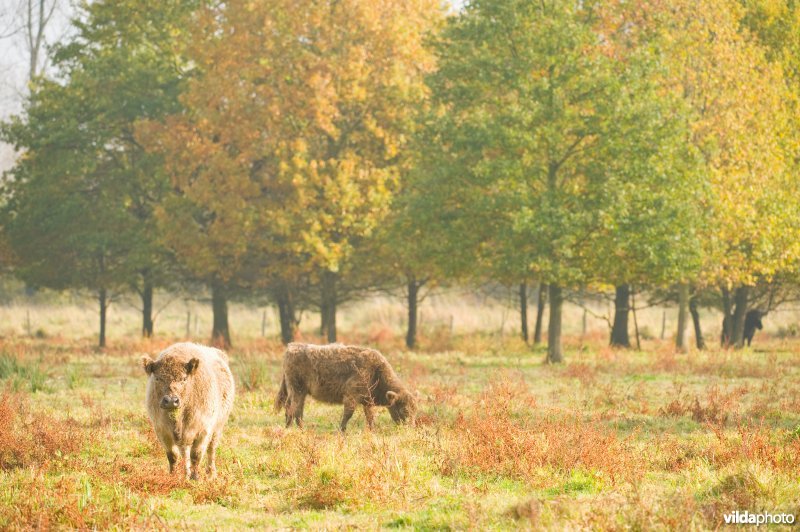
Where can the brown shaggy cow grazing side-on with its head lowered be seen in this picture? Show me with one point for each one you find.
(345, 375)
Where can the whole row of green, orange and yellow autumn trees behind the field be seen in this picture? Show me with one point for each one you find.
(306, 153)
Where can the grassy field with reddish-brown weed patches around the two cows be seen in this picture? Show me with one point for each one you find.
(609, 440)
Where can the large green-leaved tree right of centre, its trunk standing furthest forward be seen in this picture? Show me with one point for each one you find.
(545, 121)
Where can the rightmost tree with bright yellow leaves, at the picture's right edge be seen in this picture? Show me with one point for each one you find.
(743, 129)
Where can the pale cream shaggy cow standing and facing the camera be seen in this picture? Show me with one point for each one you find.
(190, 393)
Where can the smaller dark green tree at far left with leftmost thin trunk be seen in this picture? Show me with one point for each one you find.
(63, 218)
